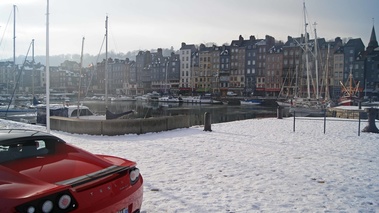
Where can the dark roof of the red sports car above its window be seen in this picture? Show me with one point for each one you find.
(12, 134)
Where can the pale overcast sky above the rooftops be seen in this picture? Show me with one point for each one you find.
(151, 24)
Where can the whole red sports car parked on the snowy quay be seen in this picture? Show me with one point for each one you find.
(40, 172)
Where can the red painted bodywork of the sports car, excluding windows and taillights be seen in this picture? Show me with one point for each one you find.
(28, 179)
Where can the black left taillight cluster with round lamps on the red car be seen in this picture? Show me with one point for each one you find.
(60, 202)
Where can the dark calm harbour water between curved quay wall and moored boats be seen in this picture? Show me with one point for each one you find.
(219, 113)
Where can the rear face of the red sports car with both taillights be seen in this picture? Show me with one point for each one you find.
(114, 189)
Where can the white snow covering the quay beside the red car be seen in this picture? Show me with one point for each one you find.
(256, 165)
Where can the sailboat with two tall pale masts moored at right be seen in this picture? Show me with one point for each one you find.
(310, 105)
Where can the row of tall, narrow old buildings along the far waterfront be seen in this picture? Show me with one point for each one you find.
(246, 67)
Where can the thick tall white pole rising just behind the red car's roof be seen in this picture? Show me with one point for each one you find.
(47, 72)
